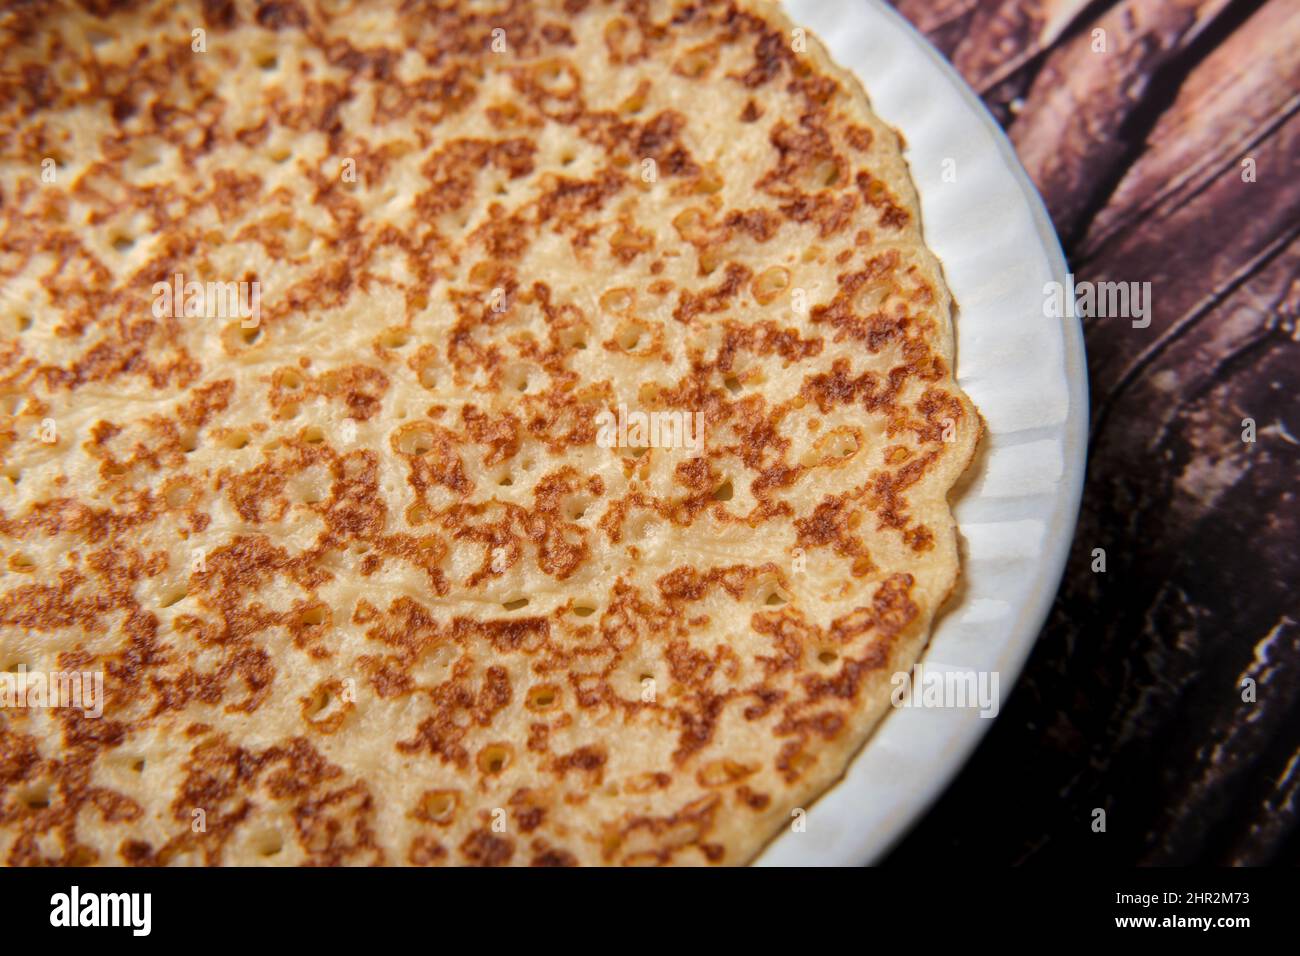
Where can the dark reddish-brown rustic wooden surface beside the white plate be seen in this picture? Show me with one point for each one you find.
(1171, 158)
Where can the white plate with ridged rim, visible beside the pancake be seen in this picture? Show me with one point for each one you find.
(1026, 375)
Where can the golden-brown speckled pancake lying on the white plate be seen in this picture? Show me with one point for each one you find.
(463, 434)
